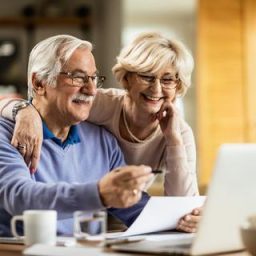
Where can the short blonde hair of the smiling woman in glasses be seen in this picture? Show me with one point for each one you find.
(151, 52)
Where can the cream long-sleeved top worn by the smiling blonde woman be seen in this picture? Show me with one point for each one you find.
(179, 161)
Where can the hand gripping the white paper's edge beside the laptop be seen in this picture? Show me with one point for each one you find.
(189, 222)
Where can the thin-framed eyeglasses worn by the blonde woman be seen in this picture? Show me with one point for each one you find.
(167, 82)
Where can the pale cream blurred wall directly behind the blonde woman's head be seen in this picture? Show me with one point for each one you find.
(172, 18)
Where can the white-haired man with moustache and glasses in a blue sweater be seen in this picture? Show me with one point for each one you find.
(76, 158)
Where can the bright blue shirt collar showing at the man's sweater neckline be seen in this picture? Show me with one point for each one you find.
(73, 136)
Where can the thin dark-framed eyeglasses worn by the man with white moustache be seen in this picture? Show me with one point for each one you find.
(80, 79)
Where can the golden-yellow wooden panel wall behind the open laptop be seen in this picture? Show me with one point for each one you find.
(226, 89)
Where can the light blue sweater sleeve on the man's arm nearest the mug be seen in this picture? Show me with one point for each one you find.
(18, 190)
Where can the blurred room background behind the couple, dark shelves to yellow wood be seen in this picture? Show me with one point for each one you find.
(221, 35)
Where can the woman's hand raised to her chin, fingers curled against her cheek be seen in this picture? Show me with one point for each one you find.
(169, 120)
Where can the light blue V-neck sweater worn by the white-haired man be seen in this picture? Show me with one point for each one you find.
(66, 178)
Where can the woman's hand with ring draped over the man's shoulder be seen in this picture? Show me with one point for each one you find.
(28, 132)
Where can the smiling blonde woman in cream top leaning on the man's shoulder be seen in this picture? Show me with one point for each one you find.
(154, 71)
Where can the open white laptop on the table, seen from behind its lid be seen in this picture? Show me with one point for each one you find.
(231, 198)
